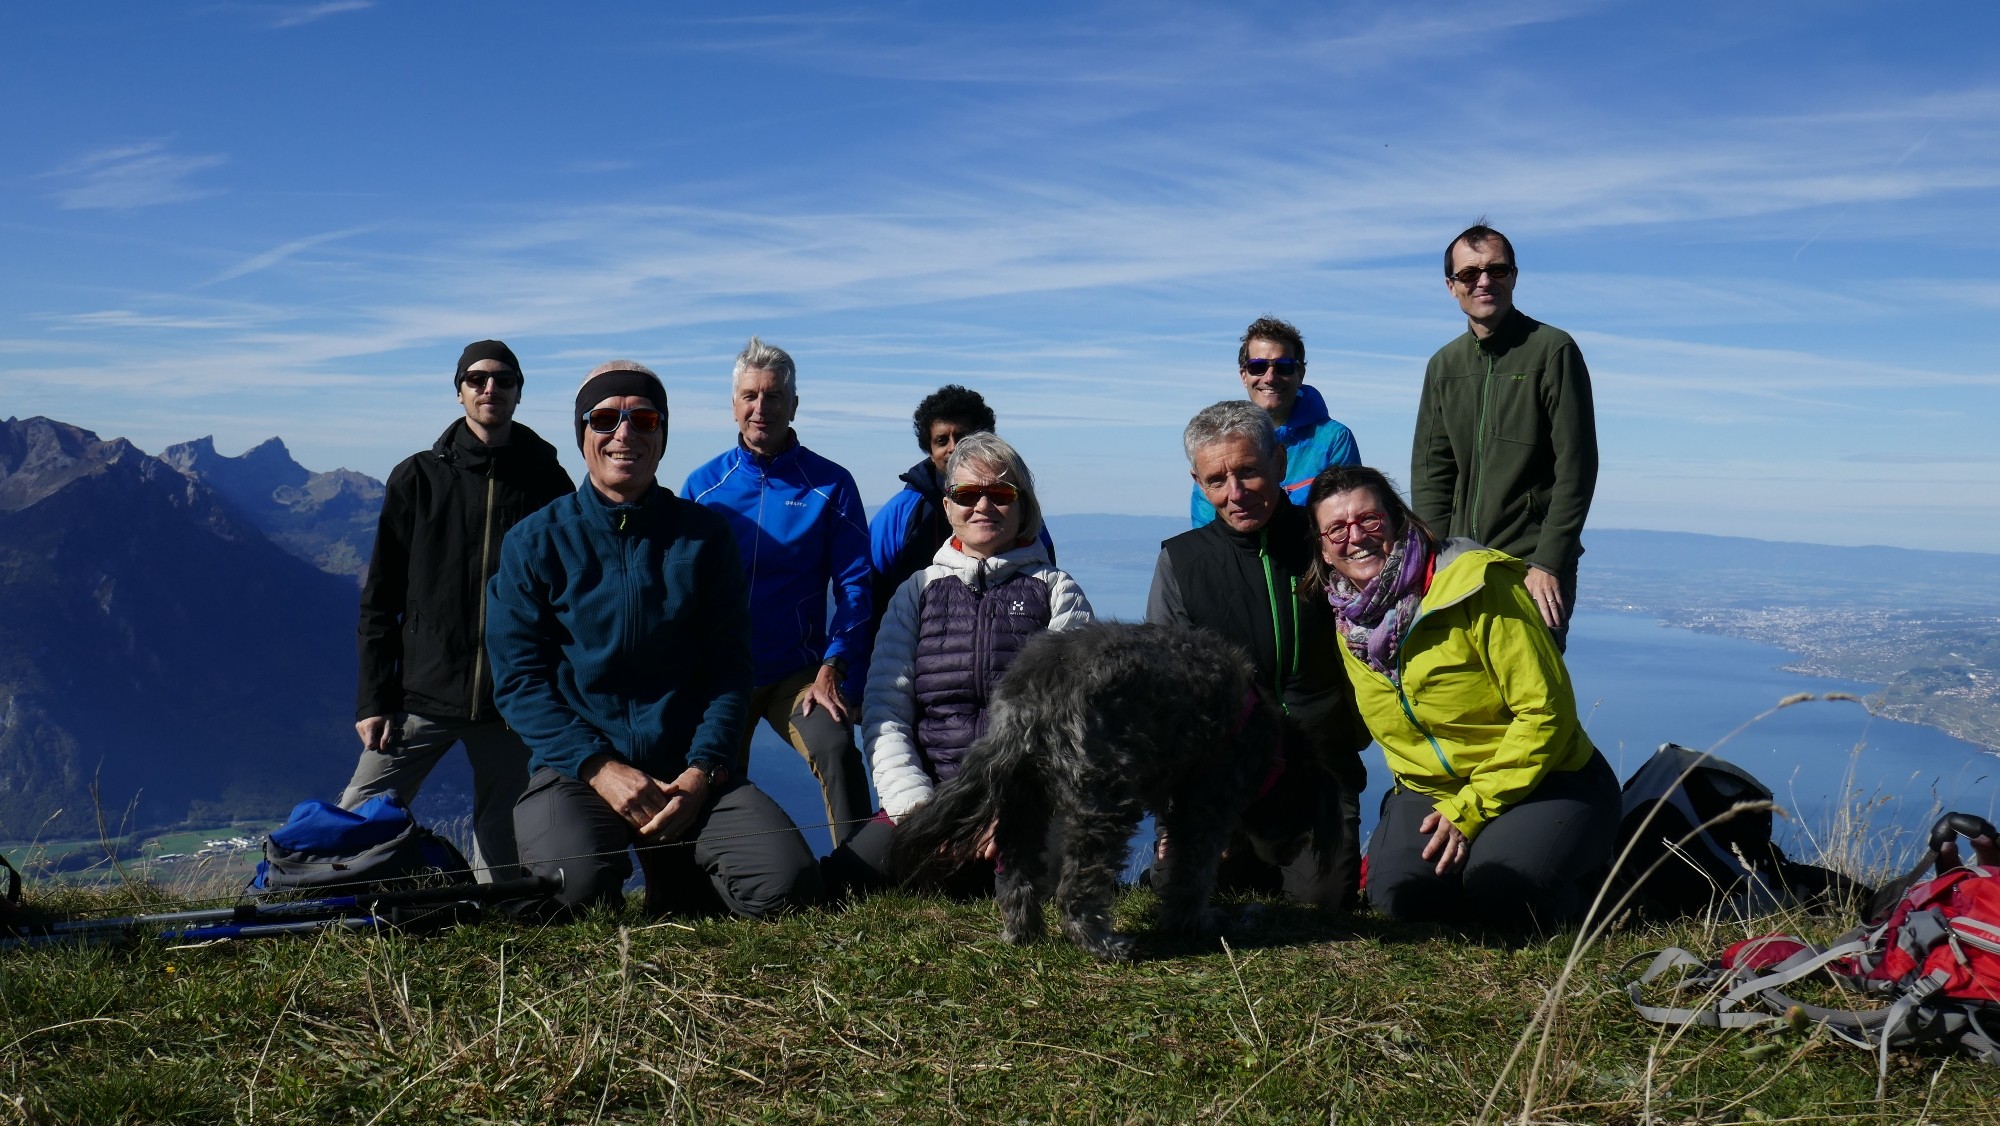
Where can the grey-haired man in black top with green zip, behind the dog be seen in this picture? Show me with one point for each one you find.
(1239, 577)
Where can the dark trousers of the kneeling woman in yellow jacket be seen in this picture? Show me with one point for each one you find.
(1531, 869)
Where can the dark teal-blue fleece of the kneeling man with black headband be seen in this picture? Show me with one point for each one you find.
(621, 629)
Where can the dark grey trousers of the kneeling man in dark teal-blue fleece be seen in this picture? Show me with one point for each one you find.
(743, 855)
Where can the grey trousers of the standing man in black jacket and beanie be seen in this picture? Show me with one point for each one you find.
(499, 775)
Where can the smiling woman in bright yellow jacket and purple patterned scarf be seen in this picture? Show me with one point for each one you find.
(1503, 811)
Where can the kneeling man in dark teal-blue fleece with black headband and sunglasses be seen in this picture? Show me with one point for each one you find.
(621, 649)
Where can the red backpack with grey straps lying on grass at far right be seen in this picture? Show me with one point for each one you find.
(1929, 953)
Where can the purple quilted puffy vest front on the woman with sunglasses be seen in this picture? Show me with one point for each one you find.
(965, 643)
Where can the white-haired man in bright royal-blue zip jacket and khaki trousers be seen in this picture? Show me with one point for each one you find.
(801, 531)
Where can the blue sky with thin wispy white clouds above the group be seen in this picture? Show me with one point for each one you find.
(1767, 225)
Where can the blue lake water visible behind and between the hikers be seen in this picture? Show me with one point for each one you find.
(1641, 685)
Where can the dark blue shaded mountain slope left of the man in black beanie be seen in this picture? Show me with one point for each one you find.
(157, 651)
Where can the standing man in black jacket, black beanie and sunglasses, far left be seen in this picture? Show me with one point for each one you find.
(425, 683)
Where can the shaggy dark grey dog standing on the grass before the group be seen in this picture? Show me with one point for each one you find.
(1087, 733)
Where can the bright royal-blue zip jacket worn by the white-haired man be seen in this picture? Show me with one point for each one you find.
(799, 527)
